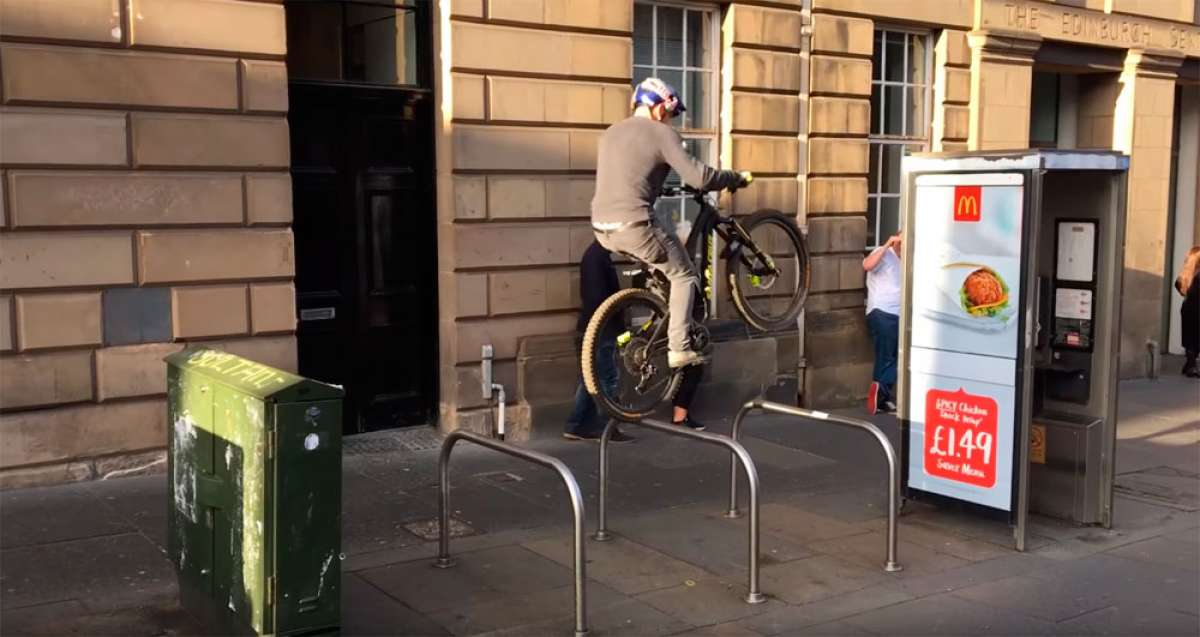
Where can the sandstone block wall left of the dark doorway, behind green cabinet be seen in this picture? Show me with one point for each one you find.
(147, 206)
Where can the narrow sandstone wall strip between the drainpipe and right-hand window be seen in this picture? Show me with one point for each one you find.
(837, 347)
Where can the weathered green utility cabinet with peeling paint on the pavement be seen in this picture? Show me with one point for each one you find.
(255, 461)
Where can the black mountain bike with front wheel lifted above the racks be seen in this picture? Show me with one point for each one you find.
(625, 356)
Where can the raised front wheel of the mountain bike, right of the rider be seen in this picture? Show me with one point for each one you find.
(770, 290)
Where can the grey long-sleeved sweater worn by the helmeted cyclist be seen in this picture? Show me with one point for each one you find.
(633, 163)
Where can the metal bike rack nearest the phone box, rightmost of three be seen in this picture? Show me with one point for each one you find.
(892, 566)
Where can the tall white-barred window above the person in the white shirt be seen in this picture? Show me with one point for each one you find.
(901, 112)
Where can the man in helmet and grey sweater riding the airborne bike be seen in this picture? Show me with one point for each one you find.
(634, 159)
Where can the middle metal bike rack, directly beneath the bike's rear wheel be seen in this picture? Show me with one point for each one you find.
(737, 452)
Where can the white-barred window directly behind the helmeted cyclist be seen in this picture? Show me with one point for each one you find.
(679, 44)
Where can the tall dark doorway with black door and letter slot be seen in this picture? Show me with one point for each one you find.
(362, 122)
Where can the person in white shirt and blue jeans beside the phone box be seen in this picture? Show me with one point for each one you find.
(884, 271)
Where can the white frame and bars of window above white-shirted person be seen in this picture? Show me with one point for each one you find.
(875, 195)
